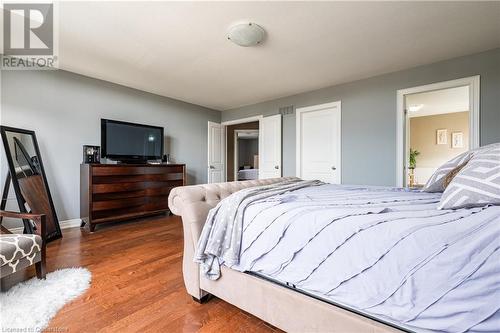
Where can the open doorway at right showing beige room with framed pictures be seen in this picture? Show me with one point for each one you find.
(440, 122)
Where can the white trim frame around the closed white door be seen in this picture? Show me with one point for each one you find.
(298, 134)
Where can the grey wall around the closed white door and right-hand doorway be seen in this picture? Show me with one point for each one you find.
(369, 114)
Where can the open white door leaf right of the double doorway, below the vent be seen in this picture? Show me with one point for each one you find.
(270, 147)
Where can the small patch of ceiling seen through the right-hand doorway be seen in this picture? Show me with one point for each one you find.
(439, 101)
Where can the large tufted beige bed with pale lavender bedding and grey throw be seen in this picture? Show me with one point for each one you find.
(369, 259)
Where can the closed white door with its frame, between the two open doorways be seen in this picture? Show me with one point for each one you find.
(318, 142)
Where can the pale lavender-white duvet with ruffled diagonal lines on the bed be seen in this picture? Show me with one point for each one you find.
(383, 251)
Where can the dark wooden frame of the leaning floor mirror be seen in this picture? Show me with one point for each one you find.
(56, 234)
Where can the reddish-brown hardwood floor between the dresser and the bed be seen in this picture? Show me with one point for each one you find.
(137, 283)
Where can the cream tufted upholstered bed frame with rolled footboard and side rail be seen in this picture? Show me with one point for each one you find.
(276, 304)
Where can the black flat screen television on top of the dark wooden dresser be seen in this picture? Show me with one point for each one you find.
(130, 142)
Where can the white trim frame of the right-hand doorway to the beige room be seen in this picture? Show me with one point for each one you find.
(402, 155)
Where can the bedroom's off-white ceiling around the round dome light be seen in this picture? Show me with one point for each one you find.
(179, 49)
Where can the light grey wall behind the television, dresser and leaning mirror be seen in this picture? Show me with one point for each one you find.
(65, 109)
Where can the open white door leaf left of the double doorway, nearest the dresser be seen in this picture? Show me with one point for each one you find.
(216, 148)
